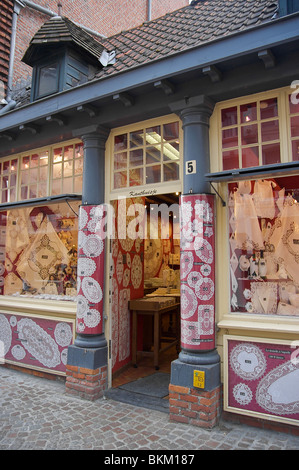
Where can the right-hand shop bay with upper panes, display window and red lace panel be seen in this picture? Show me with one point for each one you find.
(258, 321)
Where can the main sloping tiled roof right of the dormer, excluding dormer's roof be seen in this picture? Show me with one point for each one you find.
(198, 23)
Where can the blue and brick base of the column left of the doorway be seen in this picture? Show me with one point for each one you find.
(86, 372)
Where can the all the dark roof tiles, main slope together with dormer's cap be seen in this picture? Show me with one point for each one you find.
(194, 25)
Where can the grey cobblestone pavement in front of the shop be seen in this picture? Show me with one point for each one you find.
(37, 414)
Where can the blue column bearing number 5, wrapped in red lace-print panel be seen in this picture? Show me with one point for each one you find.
(198, 356)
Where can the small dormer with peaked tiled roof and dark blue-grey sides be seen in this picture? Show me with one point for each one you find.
(63, 55)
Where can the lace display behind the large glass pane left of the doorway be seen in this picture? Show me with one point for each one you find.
(38, 251)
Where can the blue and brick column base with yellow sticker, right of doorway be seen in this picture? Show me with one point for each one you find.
(191, 404)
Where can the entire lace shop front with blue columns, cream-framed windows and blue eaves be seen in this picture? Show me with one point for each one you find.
(149, 222)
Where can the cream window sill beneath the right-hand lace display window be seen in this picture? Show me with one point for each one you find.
(271, 323)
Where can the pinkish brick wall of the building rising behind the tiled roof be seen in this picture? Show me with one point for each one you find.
(107, 17)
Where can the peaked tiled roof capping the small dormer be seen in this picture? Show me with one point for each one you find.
(59, 30)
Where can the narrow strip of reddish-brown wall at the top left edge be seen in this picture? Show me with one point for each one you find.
(6, 9)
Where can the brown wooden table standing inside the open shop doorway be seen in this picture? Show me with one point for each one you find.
(156, 309)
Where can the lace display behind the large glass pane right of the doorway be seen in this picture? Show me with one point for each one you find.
(264, 246)
